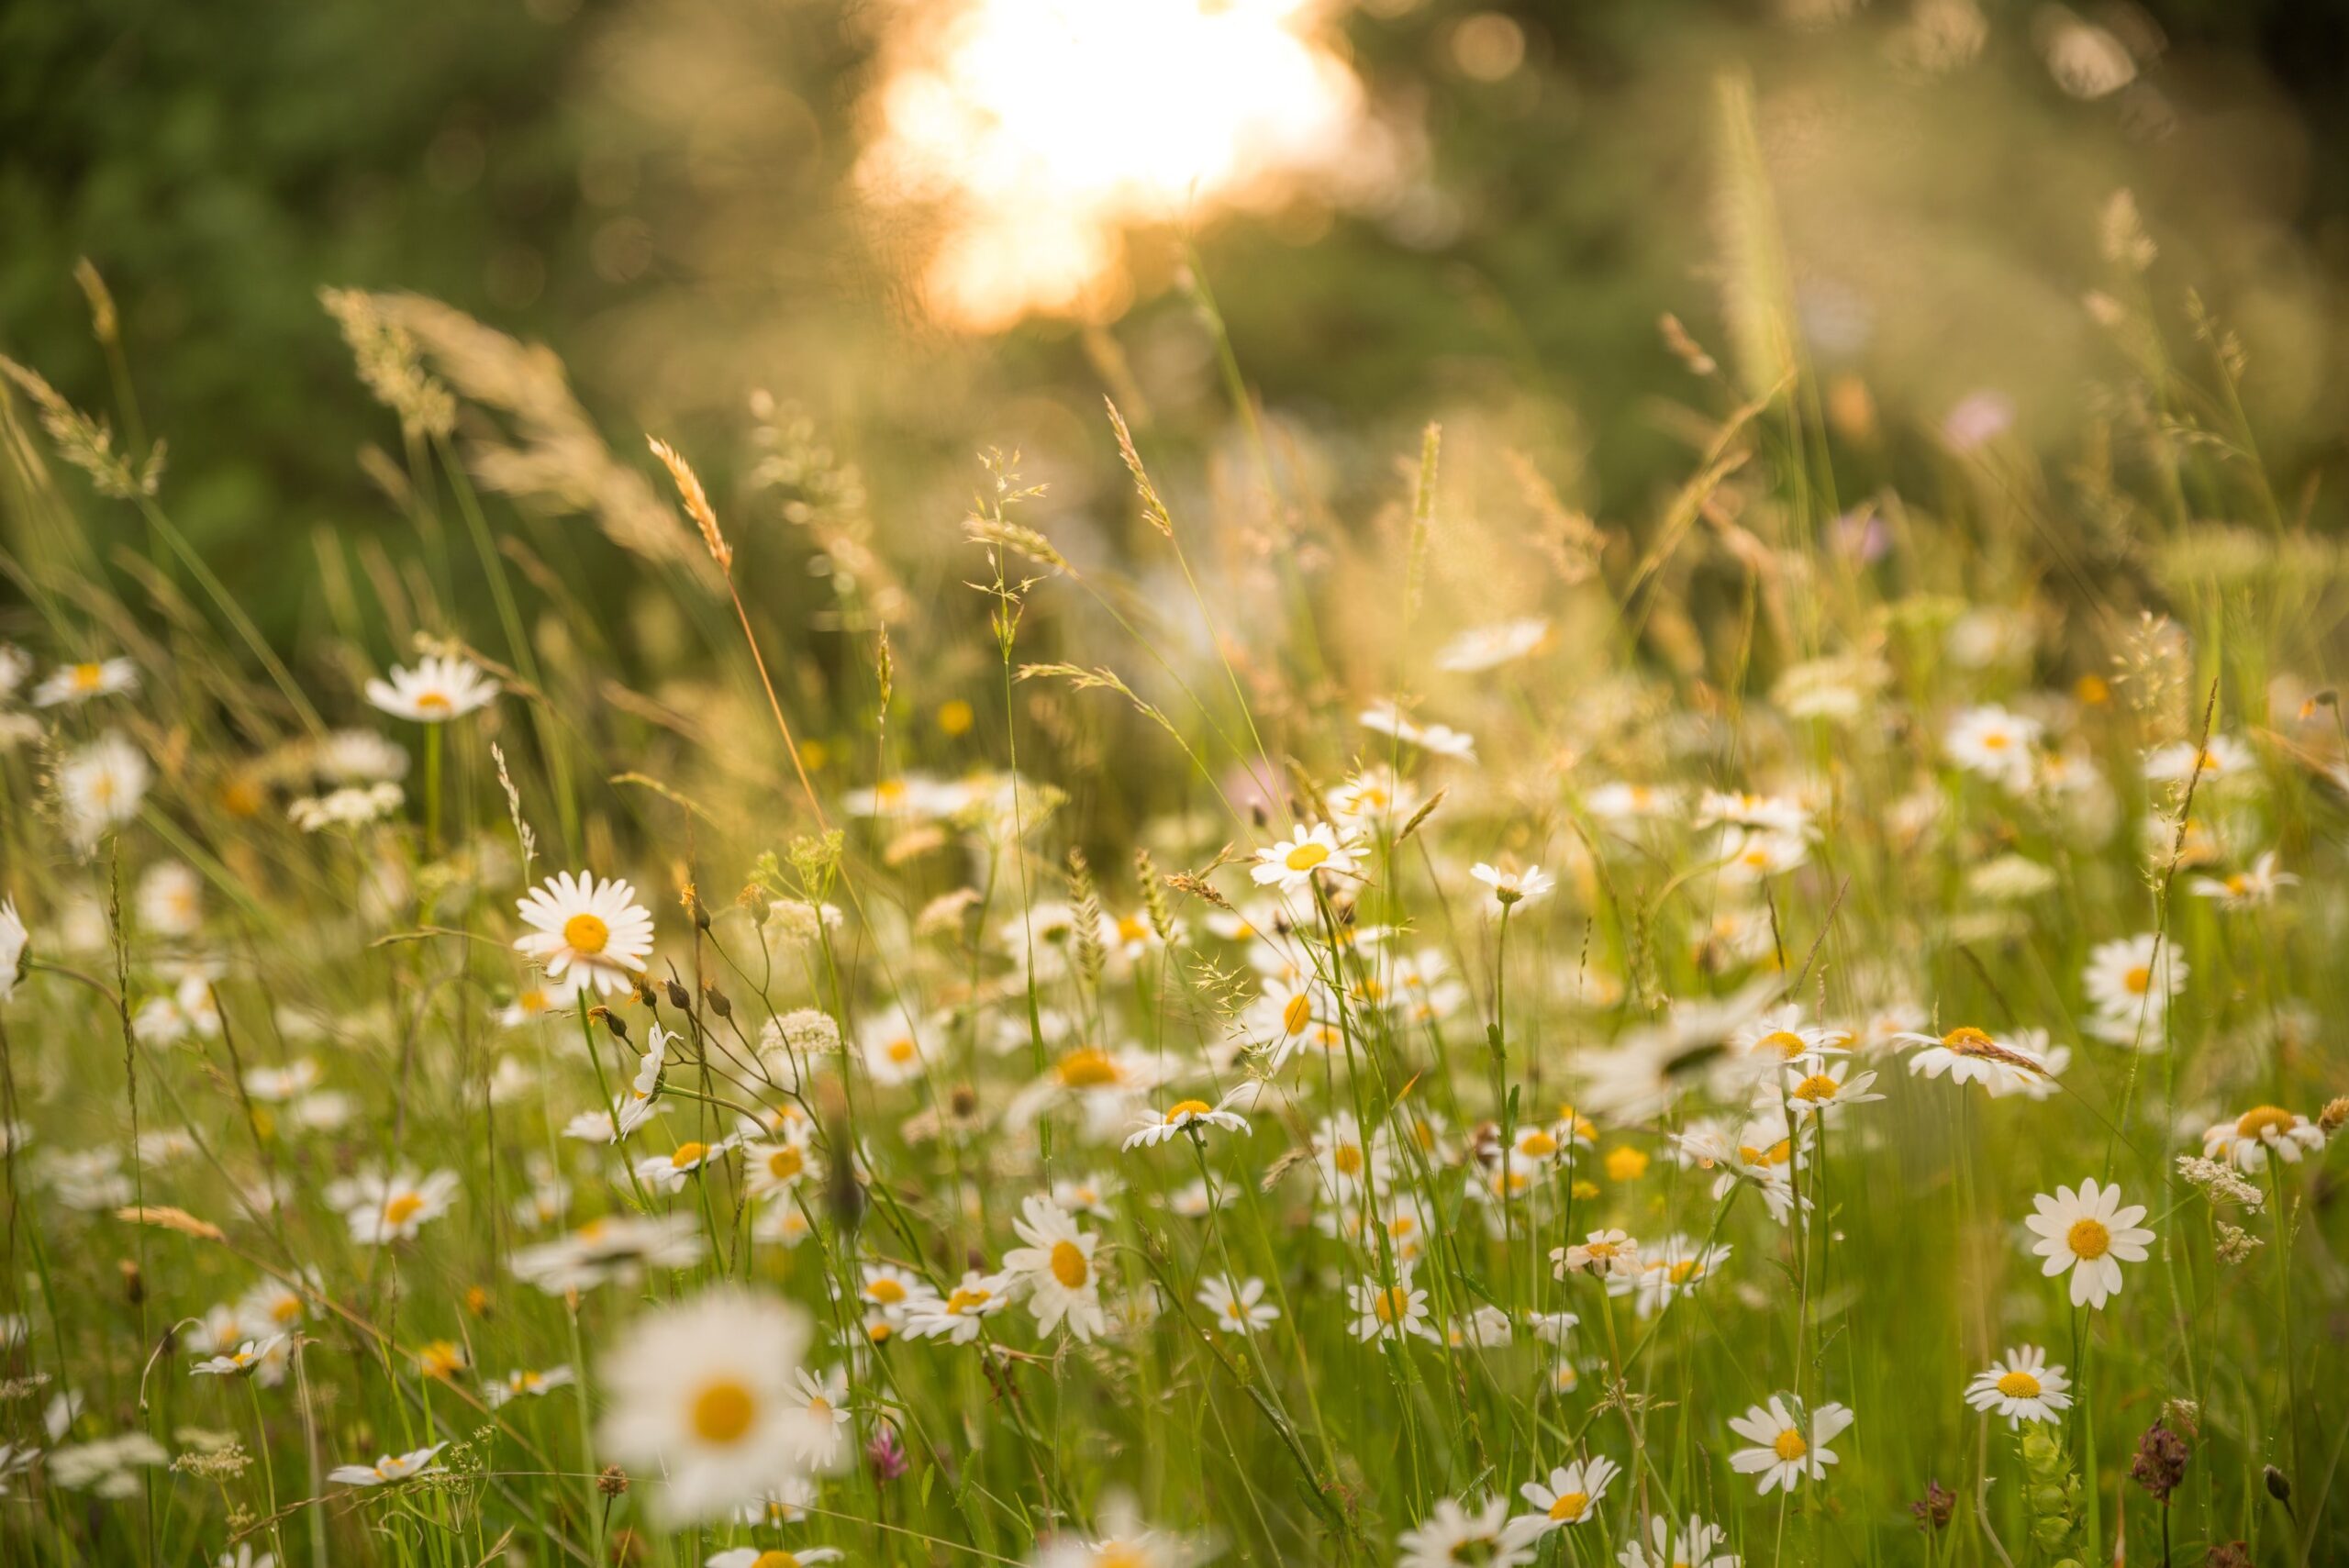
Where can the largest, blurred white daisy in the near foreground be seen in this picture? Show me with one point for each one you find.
(701, 1393)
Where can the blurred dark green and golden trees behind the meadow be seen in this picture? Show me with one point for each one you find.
(664, 191)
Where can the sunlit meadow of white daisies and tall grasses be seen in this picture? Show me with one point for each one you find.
(1793, 1029)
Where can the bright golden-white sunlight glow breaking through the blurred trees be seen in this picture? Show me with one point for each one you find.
(1037, 133)
